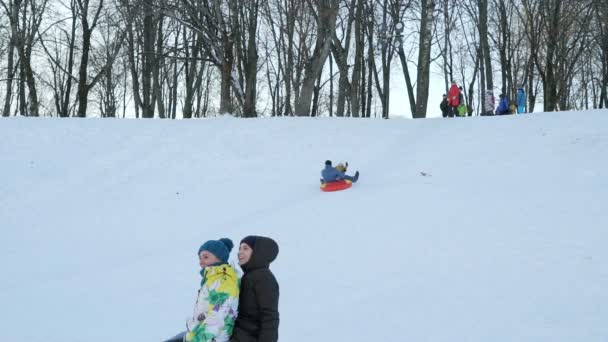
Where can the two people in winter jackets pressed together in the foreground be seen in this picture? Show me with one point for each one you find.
(229, 309)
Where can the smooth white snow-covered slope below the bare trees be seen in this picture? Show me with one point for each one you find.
(504, 239)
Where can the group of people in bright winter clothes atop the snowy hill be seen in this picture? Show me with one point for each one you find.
(453, 103)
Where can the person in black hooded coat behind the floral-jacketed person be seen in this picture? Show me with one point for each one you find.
(258, 314)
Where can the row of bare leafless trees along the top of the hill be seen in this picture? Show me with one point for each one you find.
(195, 58)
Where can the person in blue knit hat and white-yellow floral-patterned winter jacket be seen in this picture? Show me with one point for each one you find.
(217, 302)
